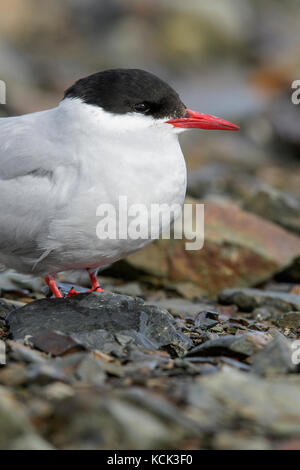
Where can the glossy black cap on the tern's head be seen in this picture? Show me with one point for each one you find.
(123, 91)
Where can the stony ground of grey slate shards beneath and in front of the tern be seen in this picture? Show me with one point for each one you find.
(116, 371)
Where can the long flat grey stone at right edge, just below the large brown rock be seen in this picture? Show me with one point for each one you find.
(250, 299)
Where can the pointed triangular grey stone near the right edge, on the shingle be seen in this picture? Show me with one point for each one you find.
(275, 358)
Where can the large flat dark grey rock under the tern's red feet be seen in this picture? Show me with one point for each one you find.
(149, 326)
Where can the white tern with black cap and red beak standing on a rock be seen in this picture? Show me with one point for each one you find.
(114, 134)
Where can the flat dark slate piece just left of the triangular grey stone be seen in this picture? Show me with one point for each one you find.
(239, 346)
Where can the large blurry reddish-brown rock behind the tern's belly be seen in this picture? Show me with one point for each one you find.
(240, 250)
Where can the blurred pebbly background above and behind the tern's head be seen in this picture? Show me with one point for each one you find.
(229, 58)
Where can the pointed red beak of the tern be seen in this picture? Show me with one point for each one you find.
(194, 120)
